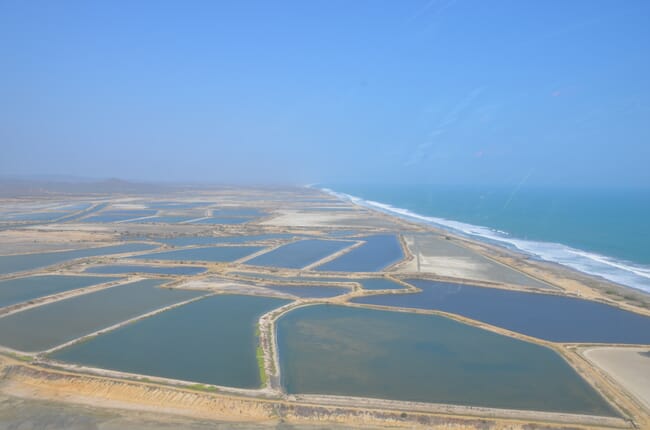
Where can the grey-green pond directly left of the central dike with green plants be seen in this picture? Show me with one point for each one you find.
(220, 349)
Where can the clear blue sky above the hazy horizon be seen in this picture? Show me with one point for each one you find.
(324, 91)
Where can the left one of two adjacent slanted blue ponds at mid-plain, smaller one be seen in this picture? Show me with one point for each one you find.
(299, 254)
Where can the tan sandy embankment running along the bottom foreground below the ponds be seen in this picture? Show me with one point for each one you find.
(27, 381)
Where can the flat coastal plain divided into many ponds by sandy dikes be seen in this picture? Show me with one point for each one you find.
(293, 306)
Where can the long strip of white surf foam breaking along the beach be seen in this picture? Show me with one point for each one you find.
(618, 271)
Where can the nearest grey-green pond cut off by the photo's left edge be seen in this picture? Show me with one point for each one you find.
(44, 327)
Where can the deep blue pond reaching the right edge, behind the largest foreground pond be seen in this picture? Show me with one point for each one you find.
(551, 317)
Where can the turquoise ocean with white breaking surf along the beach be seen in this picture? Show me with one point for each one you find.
(603, 232)
